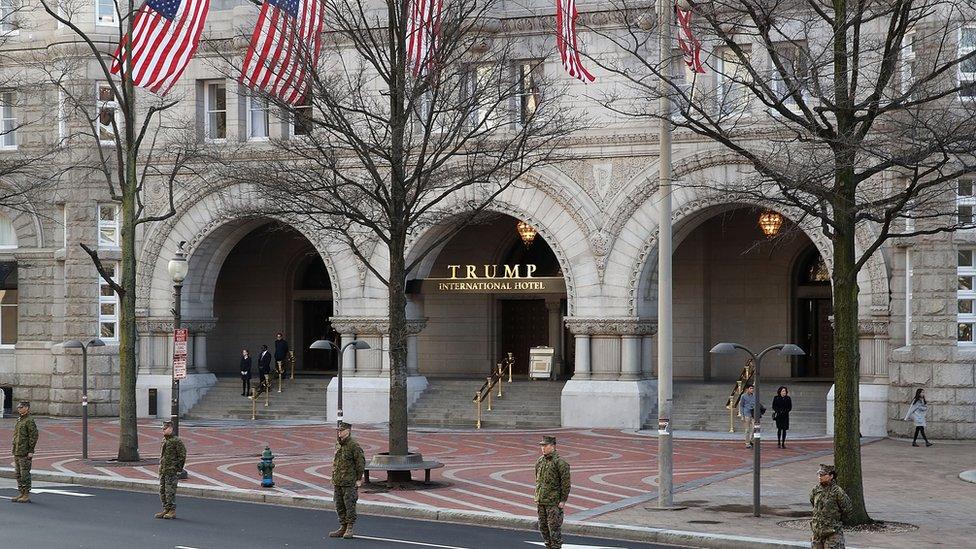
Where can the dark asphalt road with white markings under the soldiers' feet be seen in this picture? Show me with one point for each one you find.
(82, 517)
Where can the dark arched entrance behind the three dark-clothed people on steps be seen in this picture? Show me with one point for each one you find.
(271, 281)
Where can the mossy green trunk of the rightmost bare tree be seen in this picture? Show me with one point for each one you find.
(847, 371)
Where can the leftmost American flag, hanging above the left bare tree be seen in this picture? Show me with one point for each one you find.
(165, 36)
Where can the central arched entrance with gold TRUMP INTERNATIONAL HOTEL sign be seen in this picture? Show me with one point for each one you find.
(487, 294)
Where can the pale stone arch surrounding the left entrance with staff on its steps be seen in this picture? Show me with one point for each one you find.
(211, 223)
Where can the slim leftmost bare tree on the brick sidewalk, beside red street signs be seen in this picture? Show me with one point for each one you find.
(132, 148)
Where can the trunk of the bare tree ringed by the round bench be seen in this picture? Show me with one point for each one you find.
(398, 351)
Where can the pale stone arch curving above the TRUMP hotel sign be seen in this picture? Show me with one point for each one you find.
(561, 230)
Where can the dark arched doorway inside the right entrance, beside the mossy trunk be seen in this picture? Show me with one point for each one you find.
(814, 308)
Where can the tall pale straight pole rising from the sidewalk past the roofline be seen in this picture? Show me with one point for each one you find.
(665, 448)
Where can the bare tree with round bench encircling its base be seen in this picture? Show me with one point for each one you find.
(382, 147)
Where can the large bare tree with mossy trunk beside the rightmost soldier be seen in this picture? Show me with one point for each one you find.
(855, 114)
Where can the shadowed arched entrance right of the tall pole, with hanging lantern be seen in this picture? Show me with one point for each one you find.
(732, 283)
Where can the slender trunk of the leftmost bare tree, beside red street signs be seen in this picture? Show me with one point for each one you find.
(128, 428)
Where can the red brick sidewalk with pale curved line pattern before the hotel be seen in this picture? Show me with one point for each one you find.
(489, 471)
